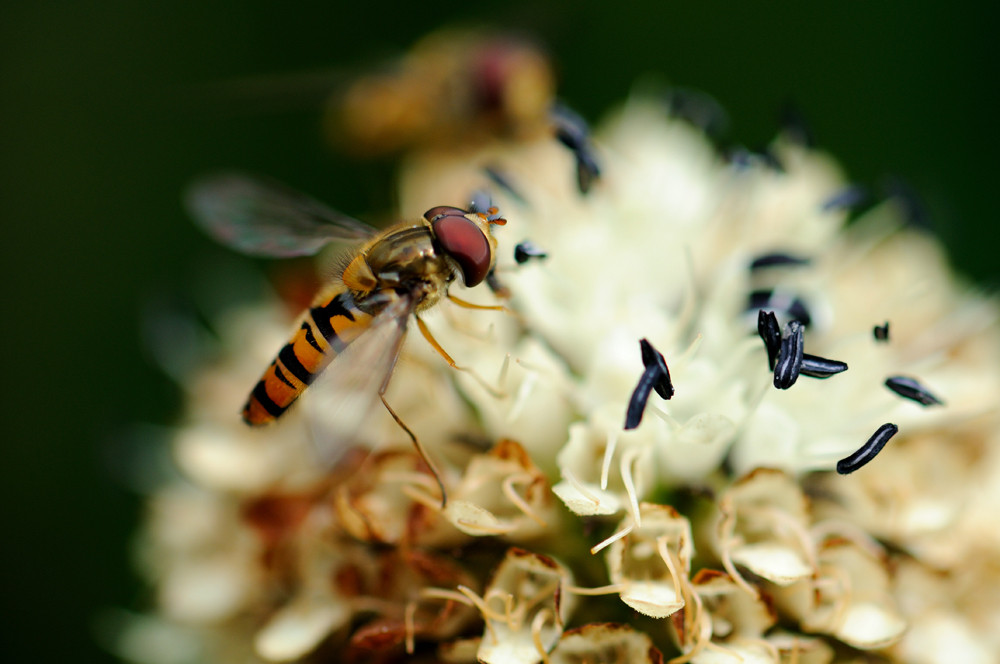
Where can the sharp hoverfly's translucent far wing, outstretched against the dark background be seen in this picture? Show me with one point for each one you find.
(260, 217)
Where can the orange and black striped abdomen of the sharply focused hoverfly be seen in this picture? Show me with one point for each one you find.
(327, 328)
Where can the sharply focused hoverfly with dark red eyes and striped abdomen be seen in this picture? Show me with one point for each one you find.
(394, 274)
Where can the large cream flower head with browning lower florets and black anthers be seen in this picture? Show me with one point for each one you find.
(716, 530)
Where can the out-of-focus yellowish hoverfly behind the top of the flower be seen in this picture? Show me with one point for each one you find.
(452, 87)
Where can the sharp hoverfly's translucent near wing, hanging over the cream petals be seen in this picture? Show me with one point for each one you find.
(339, 403)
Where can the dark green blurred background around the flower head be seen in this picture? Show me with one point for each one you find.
(99, 131)
